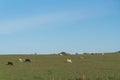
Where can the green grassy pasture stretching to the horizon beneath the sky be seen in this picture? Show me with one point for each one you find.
(54, 67)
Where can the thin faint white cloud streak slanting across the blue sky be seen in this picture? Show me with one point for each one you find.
(15, 25)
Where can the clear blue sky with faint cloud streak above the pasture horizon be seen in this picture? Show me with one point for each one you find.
(53, 26)
